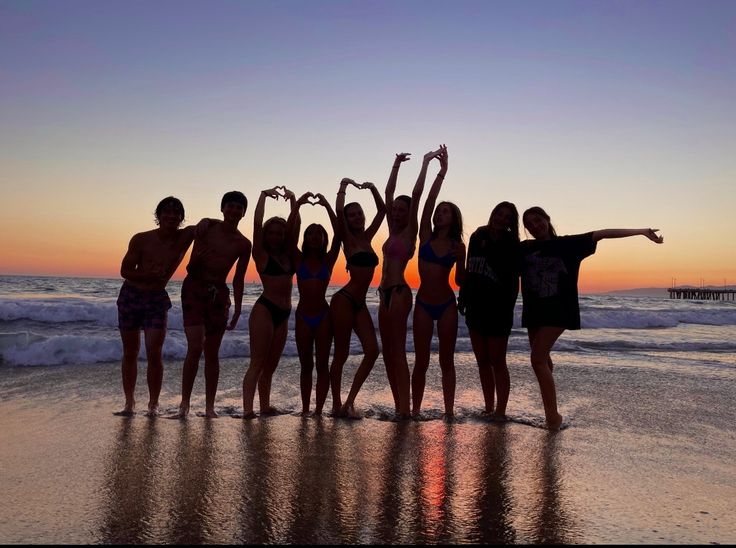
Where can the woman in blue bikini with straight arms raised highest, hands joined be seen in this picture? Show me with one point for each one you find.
(440, 248)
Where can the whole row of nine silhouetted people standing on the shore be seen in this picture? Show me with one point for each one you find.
(487, 273)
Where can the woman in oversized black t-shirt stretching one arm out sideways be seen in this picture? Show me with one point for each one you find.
(549, 284)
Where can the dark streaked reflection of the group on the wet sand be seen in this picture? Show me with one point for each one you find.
(319, 481)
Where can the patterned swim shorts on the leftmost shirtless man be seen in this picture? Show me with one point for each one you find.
(140, 308)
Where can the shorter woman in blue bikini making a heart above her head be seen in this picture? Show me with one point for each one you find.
(312, 327)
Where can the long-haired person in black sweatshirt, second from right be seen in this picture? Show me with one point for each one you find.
(488, 298)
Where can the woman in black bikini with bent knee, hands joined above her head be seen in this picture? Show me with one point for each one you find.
(347, 307)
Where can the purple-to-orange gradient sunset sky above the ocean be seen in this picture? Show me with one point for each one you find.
(609, 114)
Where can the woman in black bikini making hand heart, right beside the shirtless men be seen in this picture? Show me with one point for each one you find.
(269, 318)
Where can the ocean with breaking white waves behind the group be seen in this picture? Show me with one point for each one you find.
(60, 321)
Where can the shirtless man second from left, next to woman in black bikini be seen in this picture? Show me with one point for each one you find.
(205, 297)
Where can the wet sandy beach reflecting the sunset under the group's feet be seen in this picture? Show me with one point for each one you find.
(628, 468)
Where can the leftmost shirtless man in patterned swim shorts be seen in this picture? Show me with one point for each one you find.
(151, 260)
